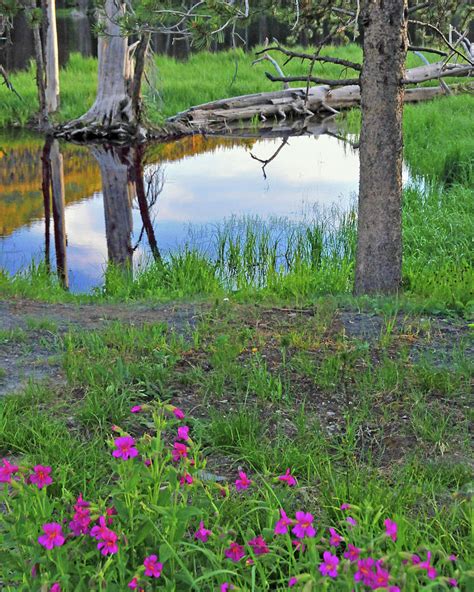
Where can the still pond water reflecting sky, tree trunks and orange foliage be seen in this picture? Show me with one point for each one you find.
(125, 205)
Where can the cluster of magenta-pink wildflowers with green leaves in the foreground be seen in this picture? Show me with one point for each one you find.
(162, 518)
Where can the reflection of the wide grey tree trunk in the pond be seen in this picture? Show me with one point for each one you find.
(117, 190)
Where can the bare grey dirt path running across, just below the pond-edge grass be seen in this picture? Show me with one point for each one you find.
(31, 344)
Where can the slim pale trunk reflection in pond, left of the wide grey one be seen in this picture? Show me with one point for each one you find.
(59, 206)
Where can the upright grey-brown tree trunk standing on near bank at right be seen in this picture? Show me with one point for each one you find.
(379, 248)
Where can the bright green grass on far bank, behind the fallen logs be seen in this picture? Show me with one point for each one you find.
(203, 77)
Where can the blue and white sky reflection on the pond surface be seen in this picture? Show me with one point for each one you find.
(200, 190)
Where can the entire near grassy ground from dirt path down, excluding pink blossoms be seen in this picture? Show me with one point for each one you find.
(362, 416)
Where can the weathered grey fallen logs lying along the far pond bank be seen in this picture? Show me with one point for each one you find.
(321, 100)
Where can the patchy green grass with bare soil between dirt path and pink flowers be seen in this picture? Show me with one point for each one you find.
(267, 389)
